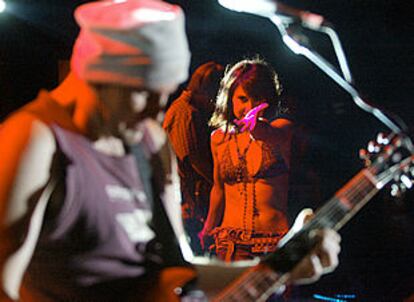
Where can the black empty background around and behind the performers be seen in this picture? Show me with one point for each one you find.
(377, 35)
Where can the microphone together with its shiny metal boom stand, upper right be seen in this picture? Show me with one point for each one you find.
(290, 22)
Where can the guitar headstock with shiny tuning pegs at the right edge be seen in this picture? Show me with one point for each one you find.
(391, 157)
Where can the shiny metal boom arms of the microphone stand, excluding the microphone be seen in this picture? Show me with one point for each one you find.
(344, 81)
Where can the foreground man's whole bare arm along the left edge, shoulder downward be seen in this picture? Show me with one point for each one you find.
(27, 147)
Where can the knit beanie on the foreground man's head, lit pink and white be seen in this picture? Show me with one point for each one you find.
(138, 43)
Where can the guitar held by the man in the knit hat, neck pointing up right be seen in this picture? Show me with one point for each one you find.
(390, 160)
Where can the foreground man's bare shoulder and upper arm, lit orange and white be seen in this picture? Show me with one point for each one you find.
(27, 147)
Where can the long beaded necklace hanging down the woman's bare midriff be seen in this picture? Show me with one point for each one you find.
(243, 178)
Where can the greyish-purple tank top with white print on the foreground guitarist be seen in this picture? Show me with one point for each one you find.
(97, 243)
